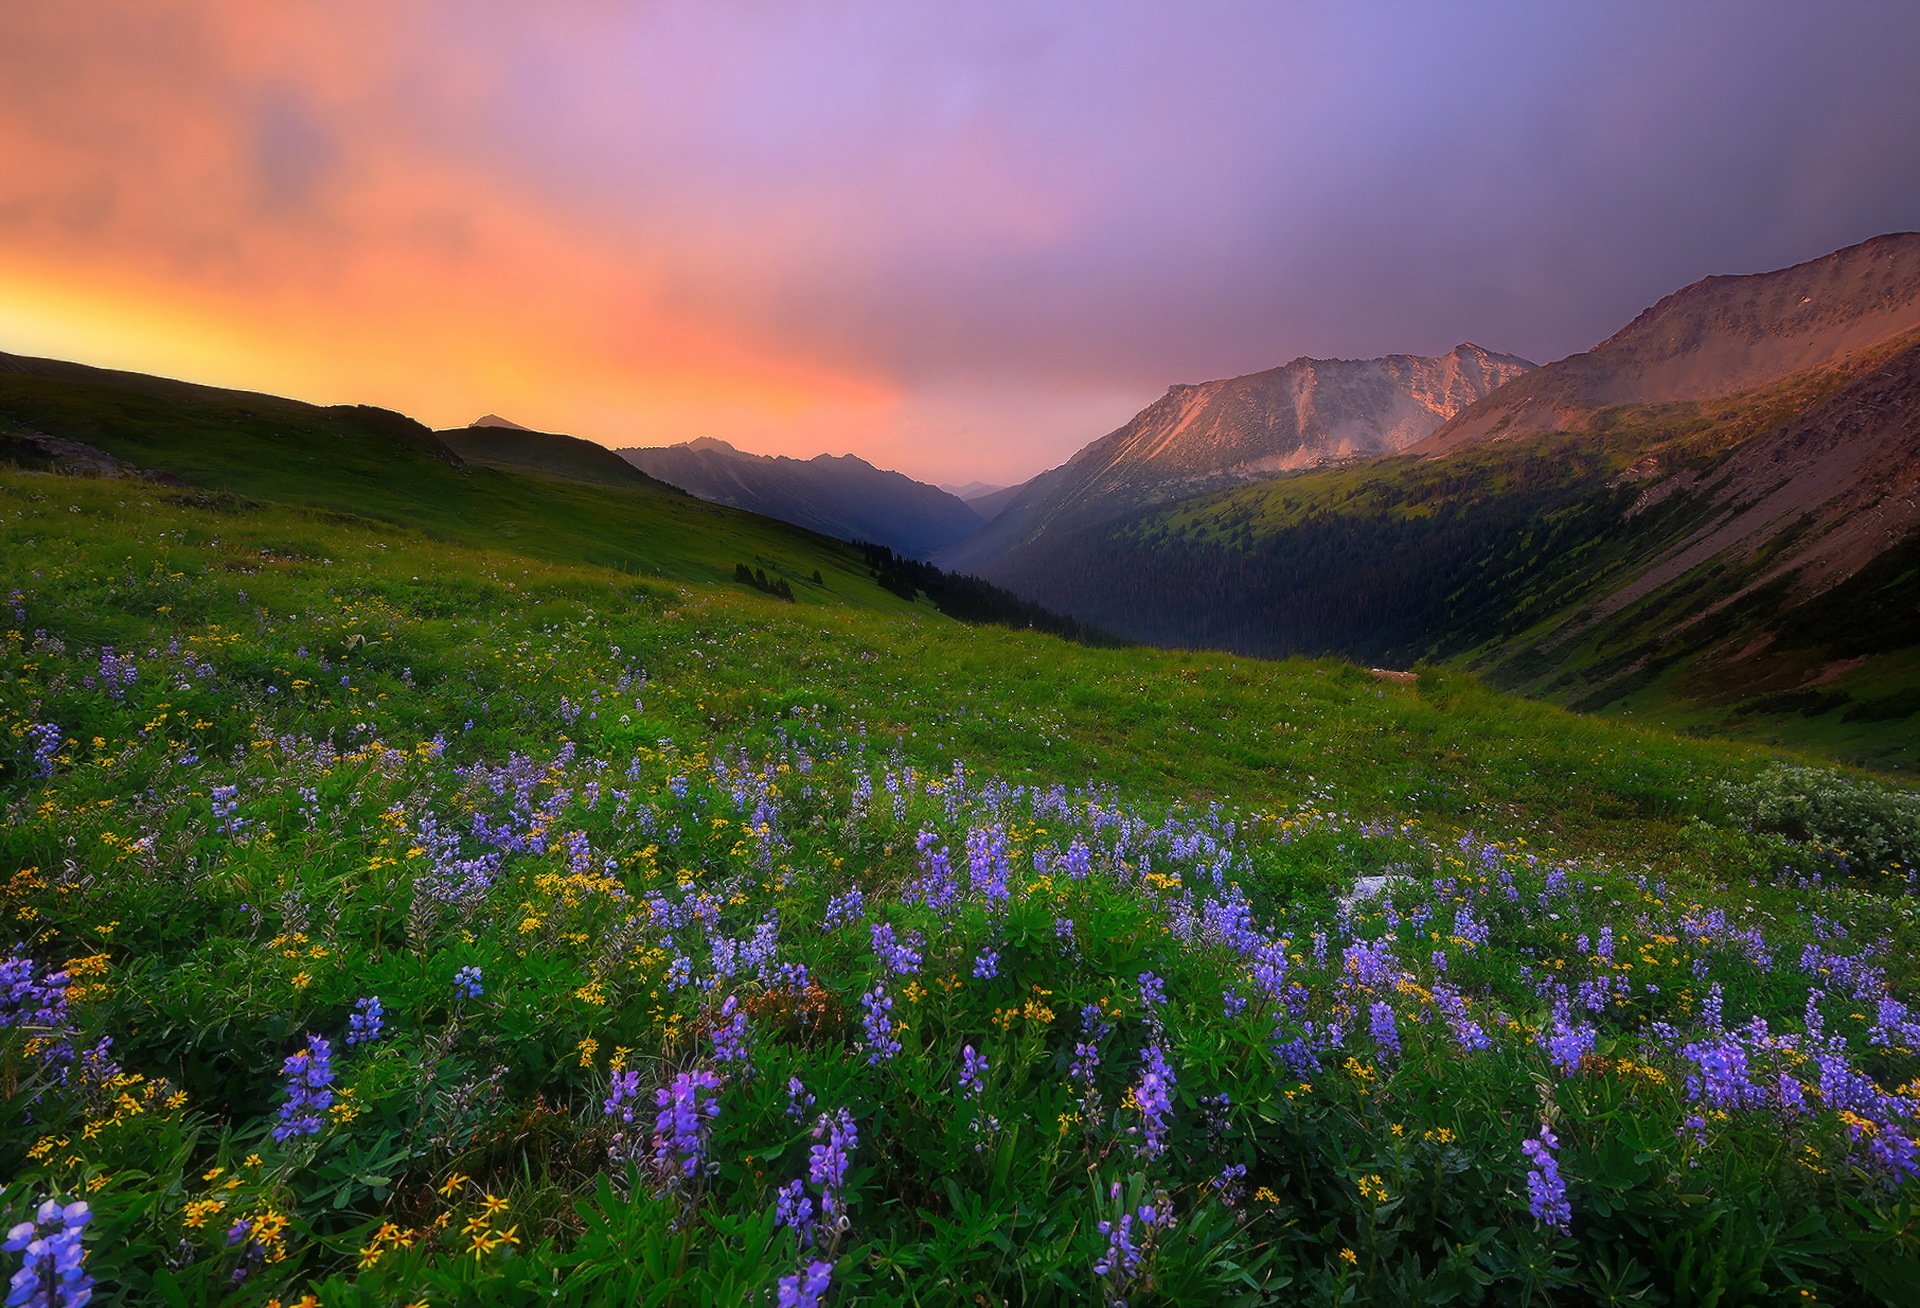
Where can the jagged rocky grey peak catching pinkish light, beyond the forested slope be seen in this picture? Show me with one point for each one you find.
(1226, 433)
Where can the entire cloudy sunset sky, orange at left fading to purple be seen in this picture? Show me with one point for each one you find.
(955, 239)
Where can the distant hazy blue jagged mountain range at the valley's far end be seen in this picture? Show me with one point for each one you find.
(838, 497)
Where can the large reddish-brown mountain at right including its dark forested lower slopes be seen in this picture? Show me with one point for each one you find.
(1712, 520)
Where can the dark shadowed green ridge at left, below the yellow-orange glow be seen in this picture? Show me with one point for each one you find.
(389, 472)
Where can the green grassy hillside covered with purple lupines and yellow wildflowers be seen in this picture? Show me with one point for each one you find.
(408, 911)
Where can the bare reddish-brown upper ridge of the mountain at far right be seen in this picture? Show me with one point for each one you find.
(1719, 337)
